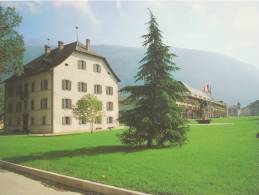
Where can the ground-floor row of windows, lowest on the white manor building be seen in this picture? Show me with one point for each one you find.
(66, 120)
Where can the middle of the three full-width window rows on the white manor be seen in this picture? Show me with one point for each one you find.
(66, 104)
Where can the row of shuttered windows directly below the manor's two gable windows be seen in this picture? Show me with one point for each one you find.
(66, 85)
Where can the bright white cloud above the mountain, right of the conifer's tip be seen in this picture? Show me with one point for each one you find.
(231, 28)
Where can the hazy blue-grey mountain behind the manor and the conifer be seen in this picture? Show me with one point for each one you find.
(231, 80)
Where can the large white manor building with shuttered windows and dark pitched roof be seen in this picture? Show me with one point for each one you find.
(41, 99)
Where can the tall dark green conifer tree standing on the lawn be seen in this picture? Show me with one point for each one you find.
(155, 116)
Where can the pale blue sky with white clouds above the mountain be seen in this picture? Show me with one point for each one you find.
(230, 28)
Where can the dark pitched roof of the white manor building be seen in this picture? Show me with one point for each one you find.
(57, 56)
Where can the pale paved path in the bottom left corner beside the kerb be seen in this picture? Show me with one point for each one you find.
(15, 184)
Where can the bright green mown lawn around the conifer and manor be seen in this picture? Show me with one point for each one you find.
(220, 159)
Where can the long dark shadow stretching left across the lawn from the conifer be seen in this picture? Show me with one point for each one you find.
(92, 151)
